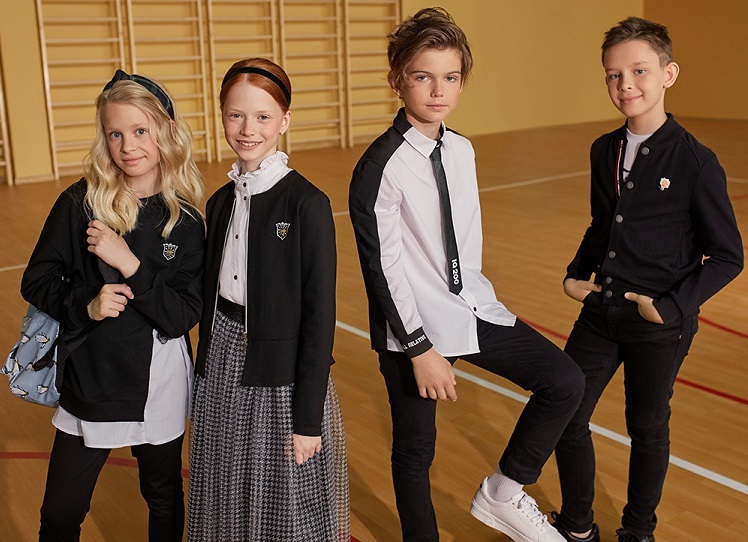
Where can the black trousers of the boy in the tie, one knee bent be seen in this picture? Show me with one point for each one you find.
(519, 354)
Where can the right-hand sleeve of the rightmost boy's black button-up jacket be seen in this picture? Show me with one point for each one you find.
(716, 237)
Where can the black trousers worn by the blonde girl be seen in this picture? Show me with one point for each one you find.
(74, 469)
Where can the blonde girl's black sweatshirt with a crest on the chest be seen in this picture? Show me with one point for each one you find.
(106, 377)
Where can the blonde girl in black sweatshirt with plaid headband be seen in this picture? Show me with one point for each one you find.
(118, 264)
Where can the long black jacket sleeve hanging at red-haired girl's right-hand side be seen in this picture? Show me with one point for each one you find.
(318, 268)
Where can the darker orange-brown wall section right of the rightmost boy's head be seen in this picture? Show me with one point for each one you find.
(710, 43)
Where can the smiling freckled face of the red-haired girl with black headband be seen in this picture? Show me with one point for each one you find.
(252, 123)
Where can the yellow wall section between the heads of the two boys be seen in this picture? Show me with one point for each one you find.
(536, 63)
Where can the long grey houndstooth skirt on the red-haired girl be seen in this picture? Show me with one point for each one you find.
(244, 484)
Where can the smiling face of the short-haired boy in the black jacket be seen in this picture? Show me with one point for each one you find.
(636, 83)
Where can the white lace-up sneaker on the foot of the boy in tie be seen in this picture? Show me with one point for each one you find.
(519, 517)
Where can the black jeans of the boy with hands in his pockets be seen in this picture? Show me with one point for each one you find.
(604, 337)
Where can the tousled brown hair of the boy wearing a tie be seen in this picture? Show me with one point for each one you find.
(430, 28)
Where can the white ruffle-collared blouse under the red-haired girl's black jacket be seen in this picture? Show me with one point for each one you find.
(233, 275)
